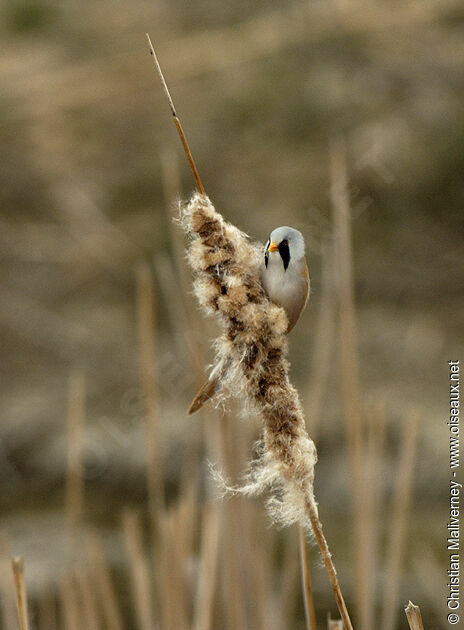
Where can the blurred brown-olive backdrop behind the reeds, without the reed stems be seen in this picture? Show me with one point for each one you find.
(89, 164)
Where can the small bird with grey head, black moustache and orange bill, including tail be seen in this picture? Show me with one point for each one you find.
(285, 278)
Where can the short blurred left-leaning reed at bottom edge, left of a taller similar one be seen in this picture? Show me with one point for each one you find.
(103, 584)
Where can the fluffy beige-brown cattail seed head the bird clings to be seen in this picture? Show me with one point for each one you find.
(251, 357)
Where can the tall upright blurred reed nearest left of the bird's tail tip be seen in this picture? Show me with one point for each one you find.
(146, 329)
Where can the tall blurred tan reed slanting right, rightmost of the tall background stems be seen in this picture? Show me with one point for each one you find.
(398, 523)
